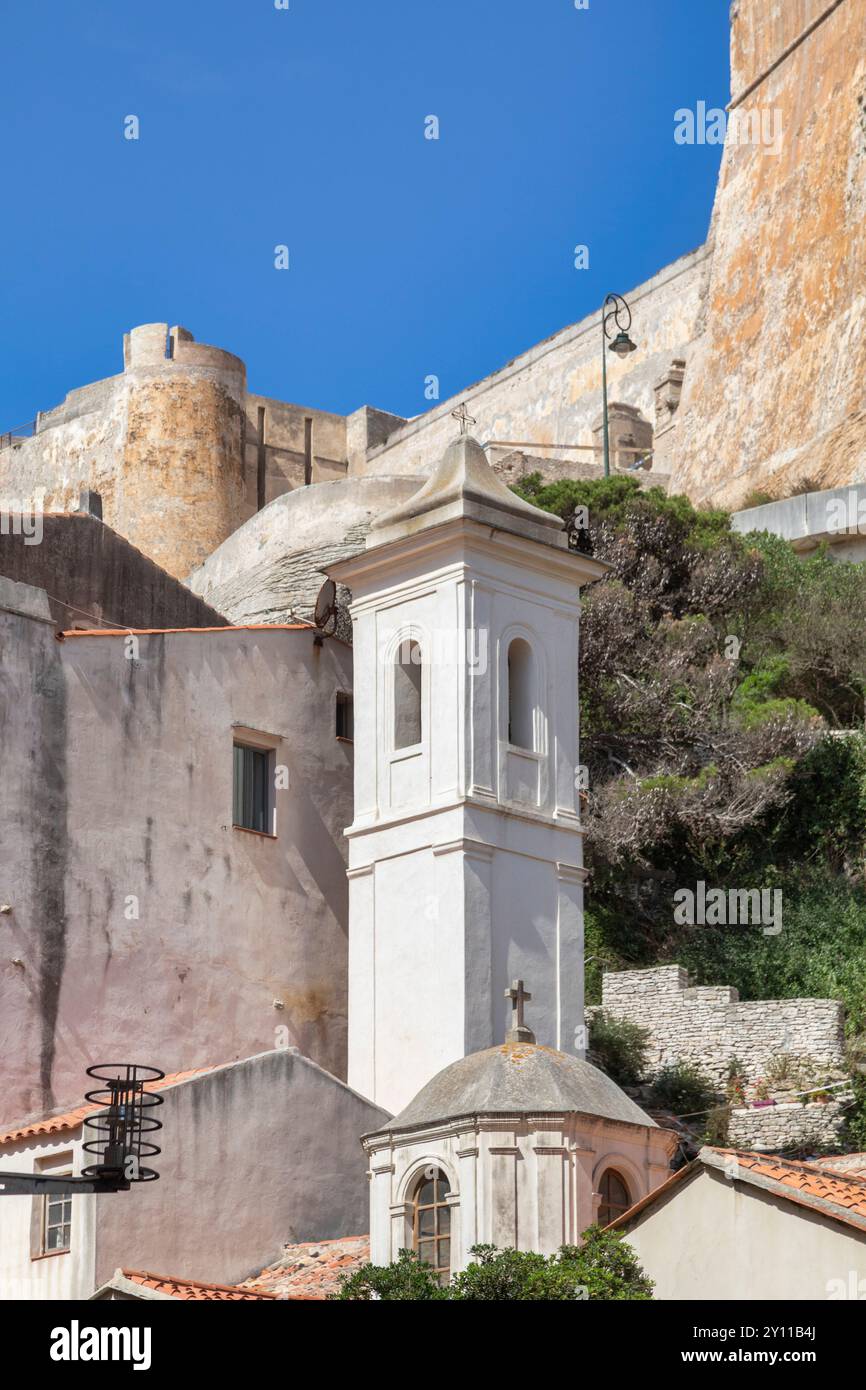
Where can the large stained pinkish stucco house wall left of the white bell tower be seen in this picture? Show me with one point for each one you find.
(119, 792)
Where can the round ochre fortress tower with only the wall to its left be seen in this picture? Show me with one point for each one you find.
(162, 444)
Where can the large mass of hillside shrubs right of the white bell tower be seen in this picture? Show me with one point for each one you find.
(724, 694)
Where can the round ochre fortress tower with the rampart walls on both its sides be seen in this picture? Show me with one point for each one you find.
(179, 450)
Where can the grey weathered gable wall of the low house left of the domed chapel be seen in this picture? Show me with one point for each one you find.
(273, 1138)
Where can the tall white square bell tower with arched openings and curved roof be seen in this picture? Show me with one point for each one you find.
(466, 849)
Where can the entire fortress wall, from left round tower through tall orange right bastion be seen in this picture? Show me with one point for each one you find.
(751, 363)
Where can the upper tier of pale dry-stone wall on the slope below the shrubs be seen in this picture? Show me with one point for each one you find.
(710, 1027)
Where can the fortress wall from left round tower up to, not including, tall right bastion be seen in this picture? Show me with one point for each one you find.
(184, 455)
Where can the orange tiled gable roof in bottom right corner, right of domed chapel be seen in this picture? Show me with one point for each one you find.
(835, 1192)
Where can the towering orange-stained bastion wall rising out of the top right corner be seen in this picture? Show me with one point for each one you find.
(776, 386)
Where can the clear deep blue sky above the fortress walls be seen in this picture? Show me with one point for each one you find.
(305, 127)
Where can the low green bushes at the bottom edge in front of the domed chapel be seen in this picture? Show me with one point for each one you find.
(603, 1268)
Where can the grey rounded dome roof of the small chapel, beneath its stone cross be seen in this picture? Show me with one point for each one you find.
(519, 1078)
